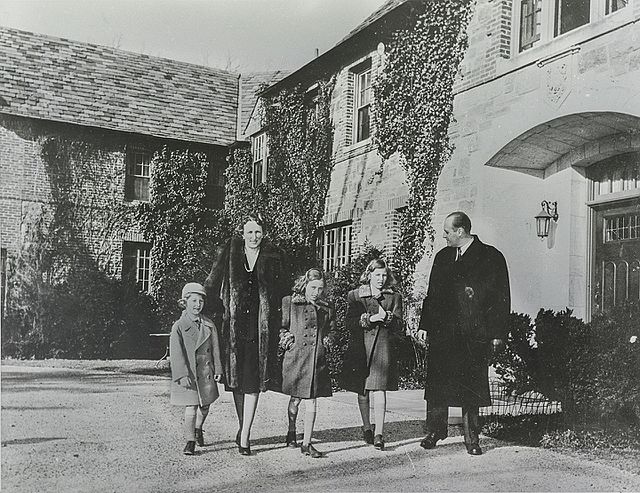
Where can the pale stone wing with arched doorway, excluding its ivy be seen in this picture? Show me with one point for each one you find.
(547, 108)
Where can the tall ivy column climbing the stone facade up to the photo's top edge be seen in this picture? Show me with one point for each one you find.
(413, 109)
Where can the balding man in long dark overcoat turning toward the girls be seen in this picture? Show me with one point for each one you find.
(464, 320)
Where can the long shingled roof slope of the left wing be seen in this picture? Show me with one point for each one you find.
(86, 84)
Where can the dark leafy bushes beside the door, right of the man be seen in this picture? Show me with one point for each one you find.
(593, 369)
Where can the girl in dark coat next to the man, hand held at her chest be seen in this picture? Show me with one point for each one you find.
(374, 320)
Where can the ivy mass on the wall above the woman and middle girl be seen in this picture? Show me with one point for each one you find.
(300, 139)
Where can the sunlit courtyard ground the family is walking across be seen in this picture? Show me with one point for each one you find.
(88, 430)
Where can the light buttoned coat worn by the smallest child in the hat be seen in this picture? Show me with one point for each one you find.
(196, 354)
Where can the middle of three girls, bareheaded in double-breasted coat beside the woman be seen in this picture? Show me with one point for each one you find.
(307, 323)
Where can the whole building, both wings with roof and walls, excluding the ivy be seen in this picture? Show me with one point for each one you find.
(546, 106)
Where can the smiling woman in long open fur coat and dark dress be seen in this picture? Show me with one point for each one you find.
(247, 282)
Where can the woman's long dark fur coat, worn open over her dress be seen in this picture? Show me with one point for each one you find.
(227, 300)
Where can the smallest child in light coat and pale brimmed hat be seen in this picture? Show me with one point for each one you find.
(196, 365)
